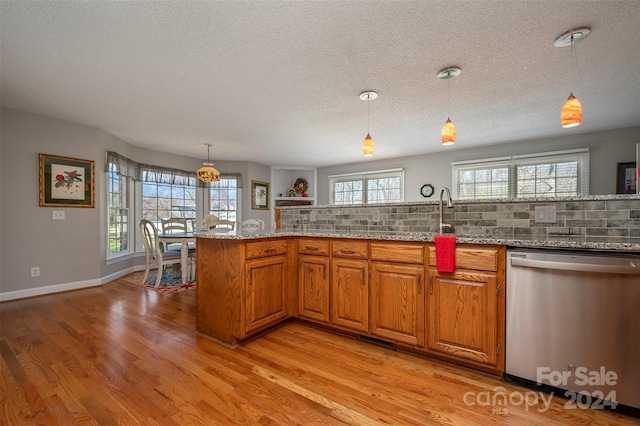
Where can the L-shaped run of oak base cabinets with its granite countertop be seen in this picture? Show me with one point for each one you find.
(384, 288)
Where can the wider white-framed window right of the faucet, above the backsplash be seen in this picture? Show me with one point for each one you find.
(553, 174)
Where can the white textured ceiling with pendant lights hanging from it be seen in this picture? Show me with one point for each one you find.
(277, 82)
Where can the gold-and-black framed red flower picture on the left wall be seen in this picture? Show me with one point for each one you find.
(66, 182)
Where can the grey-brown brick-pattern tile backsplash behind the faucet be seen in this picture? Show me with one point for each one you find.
(596, 215)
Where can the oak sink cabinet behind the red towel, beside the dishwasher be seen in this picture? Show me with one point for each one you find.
(466, 307)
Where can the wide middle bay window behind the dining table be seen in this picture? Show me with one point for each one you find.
(166, 194)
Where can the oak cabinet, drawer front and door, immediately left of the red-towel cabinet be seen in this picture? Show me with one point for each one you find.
(397, 292)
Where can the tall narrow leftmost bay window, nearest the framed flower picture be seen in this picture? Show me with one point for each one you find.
(118, 238)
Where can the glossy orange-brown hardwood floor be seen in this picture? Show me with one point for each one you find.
(121, 354)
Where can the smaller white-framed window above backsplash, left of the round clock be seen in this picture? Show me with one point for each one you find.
(384, 186)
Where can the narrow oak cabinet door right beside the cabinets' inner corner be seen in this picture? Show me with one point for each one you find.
(313, 288)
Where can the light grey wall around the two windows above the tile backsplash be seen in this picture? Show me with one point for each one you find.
(607, 149)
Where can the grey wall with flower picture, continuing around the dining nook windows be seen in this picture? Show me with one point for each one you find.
(70, 253)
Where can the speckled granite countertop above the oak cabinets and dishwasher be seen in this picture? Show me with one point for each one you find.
(575, 242)
